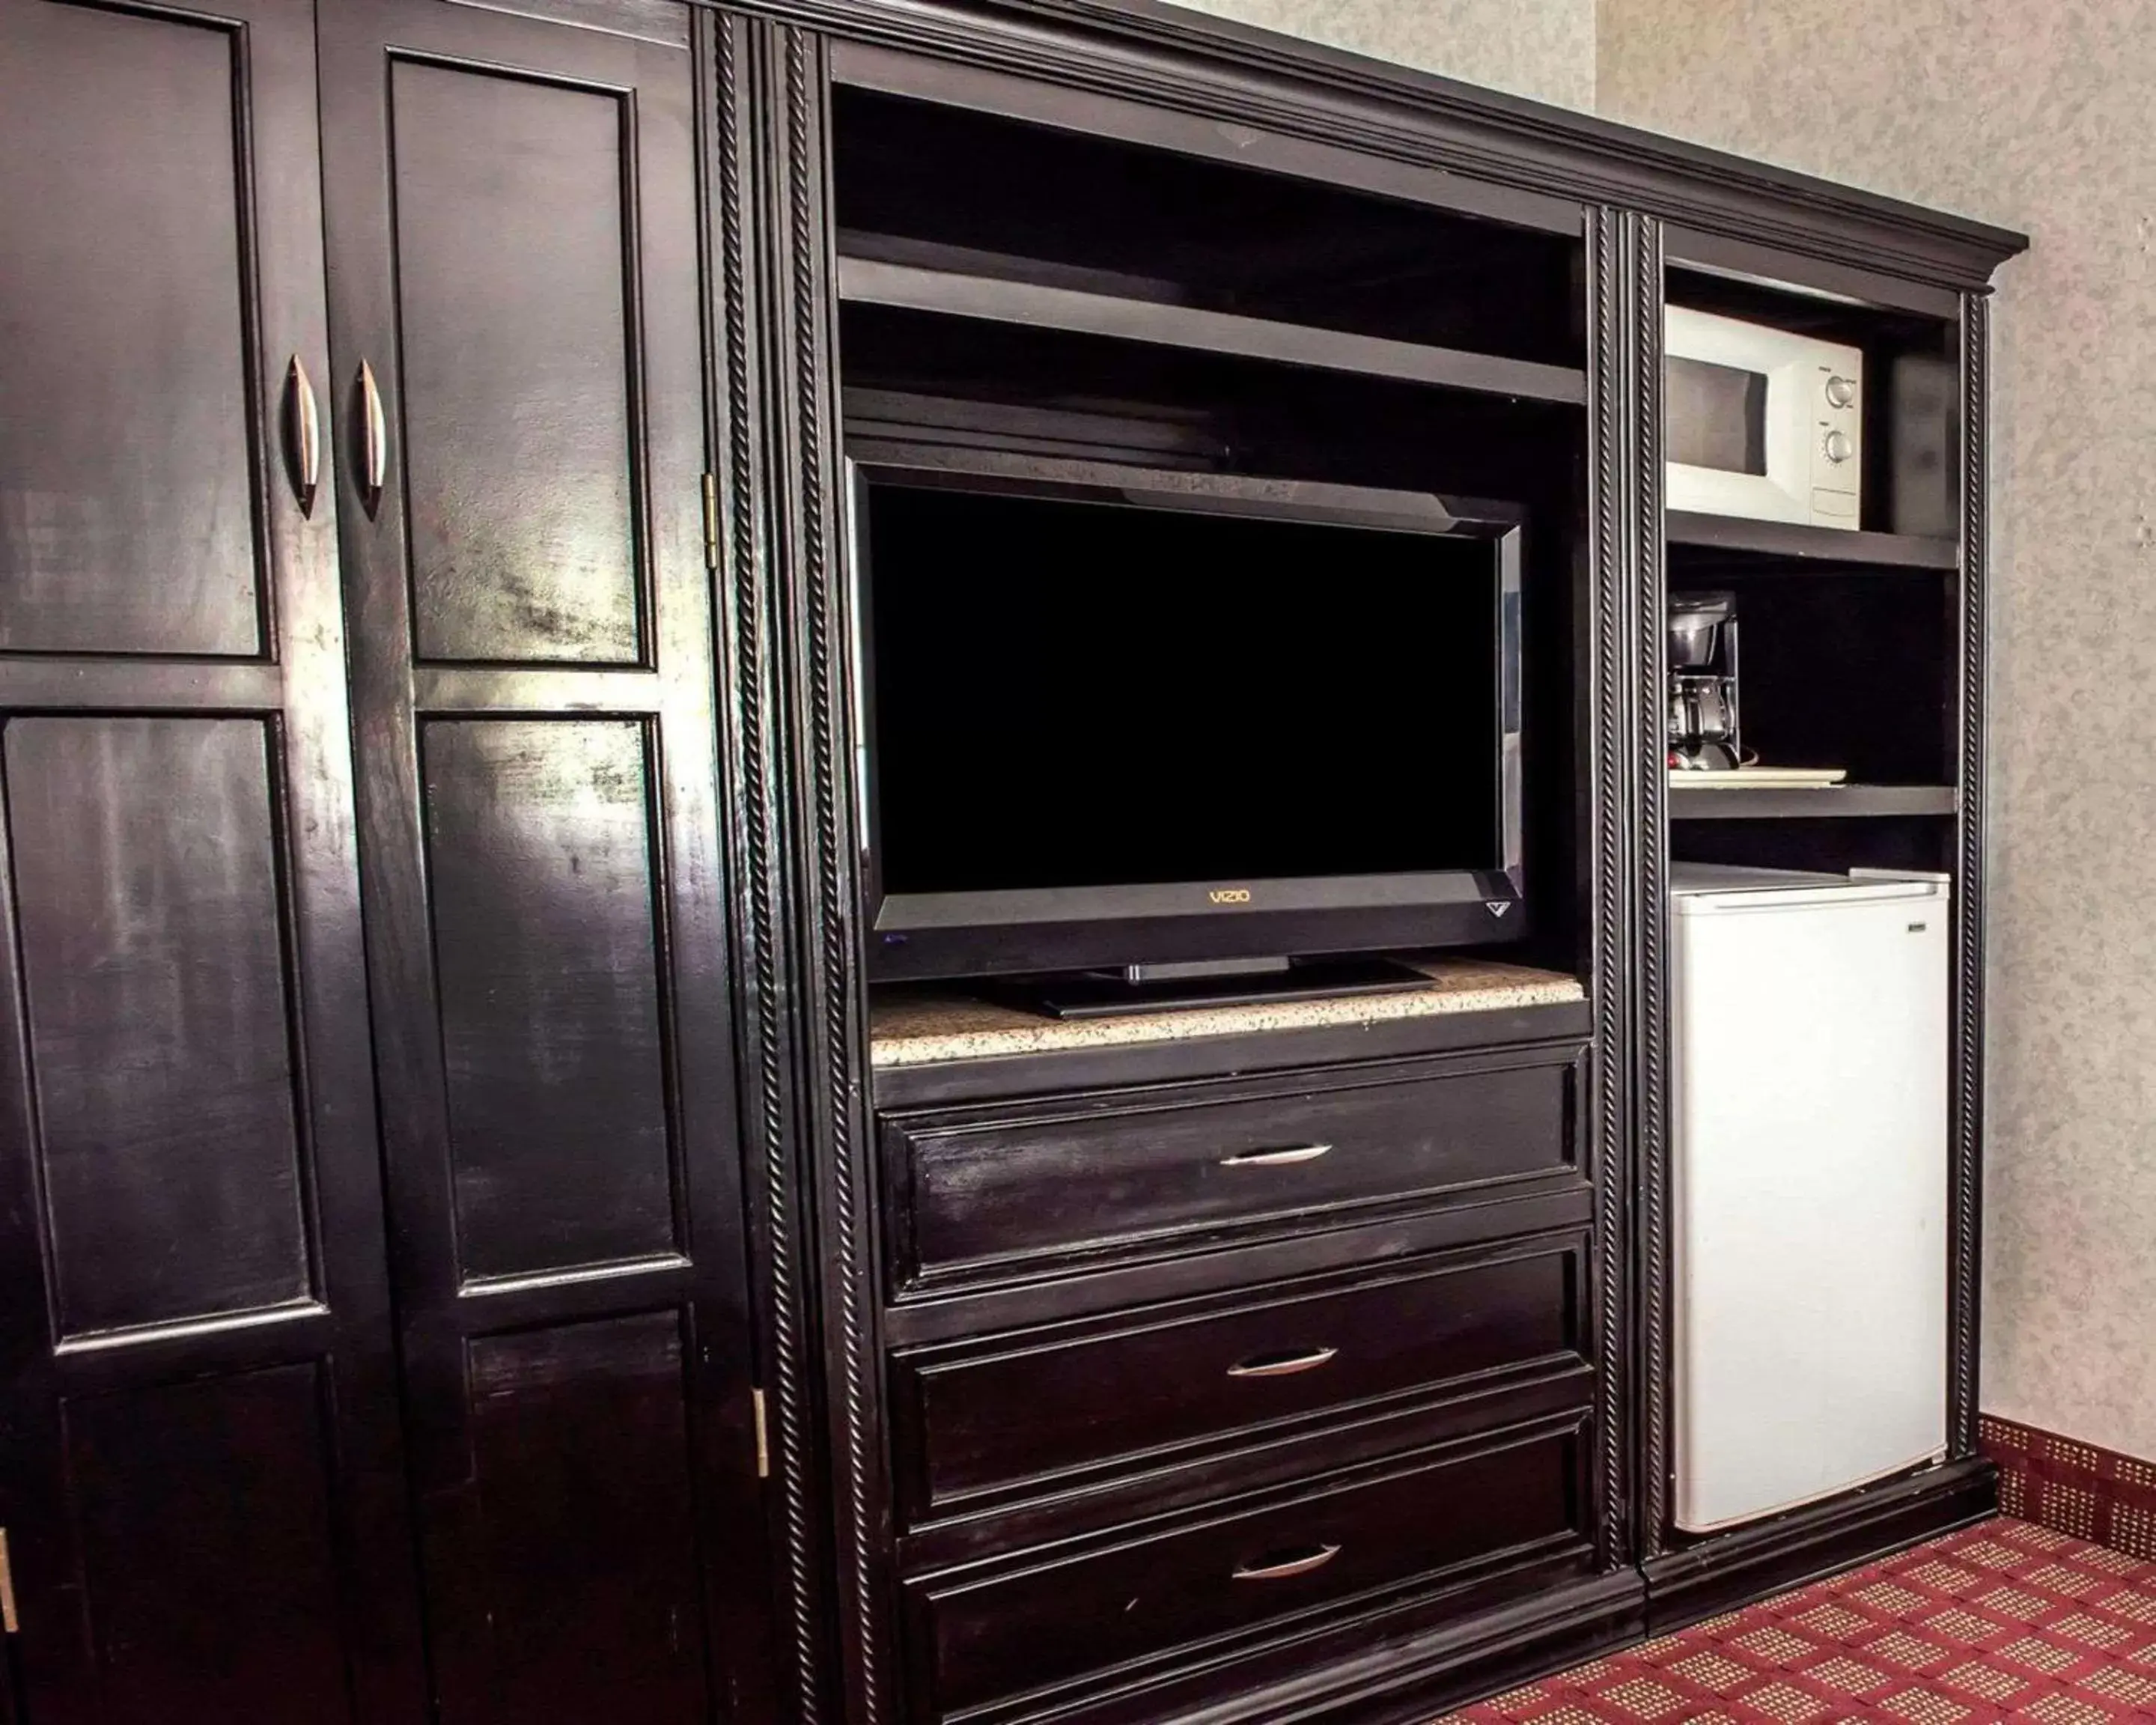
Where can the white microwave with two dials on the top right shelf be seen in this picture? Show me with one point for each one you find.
(1760, 422)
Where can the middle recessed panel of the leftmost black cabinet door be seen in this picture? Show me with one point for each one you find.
(161, 1038)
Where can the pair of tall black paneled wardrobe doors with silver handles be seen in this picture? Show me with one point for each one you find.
(376, 1254)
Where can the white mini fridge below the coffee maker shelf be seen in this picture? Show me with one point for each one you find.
(1810, 1230)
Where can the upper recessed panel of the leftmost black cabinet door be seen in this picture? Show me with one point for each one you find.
(128, 506)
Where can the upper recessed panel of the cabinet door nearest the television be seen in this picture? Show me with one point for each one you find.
(514, 301)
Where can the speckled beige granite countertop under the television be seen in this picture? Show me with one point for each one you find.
(917, 1027)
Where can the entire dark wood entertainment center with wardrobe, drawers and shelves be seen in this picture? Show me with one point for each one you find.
(473, 1243)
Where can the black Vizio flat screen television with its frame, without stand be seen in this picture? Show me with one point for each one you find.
(1122, 717)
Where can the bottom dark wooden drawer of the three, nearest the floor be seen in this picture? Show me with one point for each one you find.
(982, 1642)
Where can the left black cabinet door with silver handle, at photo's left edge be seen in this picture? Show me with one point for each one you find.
(199, 1459)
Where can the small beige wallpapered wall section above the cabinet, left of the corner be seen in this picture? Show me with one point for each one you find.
(1540, 49)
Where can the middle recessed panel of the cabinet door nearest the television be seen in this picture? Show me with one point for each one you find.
(544, 879)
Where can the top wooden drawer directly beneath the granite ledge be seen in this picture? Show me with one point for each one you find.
(980, 1189)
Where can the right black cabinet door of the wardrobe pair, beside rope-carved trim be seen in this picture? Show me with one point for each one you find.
(516, 316)
